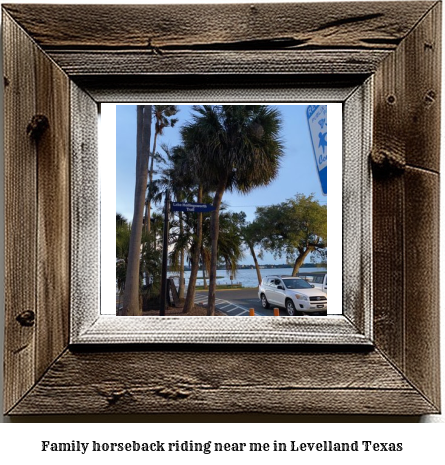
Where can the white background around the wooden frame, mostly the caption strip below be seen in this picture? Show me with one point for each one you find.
(21, 441)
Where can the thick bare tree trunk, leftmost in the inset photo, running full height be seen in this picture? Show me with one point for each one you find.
(131, 305)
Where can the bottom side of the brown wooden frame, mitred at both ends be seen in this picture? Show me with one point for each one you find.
(222, 382)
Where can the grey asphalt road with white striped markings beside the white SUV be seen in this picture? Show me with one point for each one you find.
(237, 302)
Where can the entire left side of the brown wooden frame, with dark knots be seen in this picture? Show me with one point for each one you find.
(37, 215)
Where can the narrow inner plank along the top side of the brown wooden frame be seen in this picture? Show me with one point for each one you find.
(119, 63)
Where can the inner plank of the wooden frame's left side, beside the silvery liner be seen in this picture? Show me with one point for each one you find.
(53, 225)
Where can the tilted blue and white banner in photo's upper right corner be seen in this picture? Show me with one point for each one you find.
(317, 117)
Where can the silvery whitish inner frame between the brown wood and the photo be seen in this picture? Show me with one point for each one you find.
(353, 327)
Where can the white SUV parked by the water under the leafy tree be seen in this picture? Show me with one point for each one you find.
(293, 293)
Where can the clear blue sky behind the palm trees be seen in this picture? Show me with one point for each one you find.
(297, 175)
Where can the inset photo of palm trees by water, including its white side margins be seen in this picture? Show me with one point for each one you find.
(253, 247)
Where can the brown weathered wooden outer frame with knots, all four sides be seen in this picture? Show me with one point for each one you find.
(58, 68)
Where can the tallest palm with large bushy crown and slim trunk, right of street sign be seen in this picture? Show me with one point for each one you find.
(242, 151)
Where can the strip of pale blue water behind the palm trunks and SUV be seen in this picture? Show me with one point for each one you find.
(248, 277)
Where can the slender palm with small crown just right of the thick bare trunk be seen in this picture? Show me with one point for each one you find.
(163, 116)
